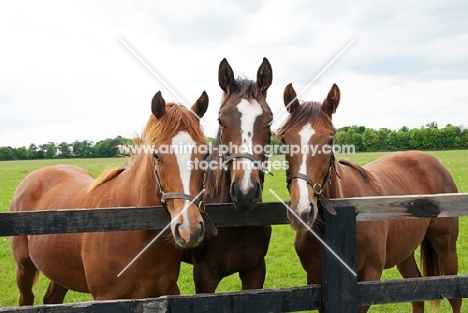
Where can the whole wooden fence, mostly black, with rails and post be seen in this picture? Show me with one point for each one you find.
(339, 290)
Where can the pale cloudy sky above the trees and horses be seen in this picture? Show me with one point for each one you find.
(66, 71)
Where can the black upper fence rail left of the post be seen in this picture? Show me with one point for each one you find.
(114, 219)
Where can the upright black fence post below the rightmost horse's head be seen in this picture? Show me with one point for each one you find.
(339, 285)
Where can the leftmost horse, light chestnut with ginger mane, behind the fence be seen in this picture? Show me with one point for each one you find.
(91, 262)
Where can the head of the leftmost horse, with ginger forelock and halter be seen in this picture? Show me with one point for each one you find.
(179, 143)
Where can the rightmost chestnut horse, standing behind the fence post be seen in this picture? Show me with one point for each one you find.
(380, 244)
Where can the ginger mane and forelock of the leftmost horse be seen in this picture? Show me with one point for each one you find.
(176, 118)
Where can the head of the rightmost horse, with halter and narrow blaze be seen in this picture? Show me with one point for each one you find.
(308, 133)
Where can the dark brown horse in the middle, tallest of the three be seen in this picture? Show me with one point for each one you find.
(244, 123)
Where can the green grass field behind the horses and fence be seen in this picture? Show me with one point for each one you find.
(283, 267)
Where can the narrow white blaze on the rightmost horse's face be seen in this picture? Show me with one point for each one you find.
(303, 204)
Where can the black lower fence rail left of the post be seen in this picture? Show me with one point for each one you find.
(273, 300)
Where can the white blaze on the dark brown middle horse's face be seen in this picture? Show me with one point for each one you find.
(249, 111)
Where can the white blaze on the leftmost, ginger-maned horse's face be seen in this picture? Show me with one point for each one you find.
(183, 139)
